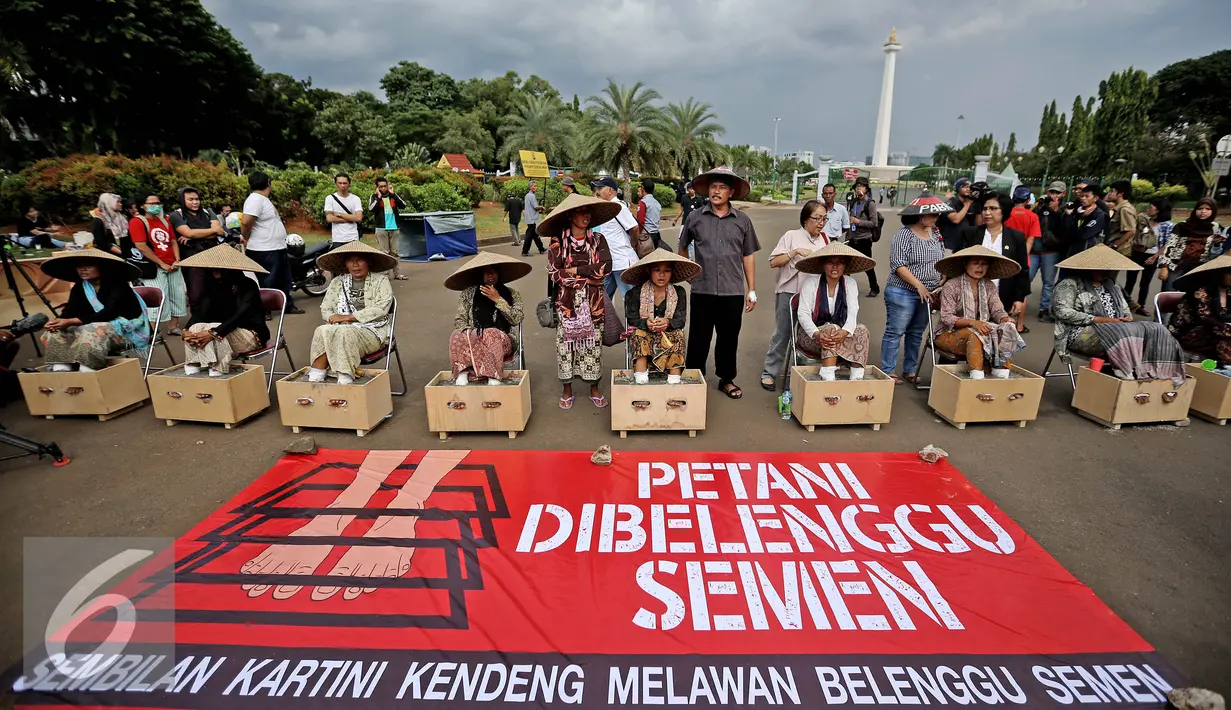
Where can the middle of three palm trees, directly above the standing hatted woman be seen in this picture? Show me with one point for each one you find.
(624, 131)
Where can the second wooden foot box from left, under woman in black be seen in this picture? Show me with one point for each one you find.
(227, 401)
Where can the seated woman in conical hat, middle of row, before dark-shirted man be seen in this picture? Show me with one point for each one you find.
(657, 308)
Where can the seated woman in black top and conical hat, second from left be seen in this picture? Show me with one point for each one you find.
(228, 318)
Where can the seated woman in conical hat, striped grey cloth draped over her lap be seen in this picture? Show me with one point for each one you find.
(1094, 319)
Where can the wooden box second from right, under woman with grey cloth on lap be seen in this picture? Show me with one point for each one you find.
(1112, 402)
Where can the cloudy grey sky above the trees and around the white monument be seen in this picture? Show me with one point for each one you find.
(816, 63)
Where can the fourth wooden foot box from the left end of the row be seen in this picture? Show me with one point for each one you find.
(478, 407)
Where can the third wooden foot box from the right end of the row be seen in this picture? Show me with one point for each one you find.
(961, 401)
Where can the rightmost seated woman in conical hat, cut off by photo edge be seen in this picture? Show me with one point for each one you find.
(1202, 322)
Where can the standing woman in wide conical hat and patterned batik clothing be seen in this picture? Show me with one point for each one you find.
(578, 261)
